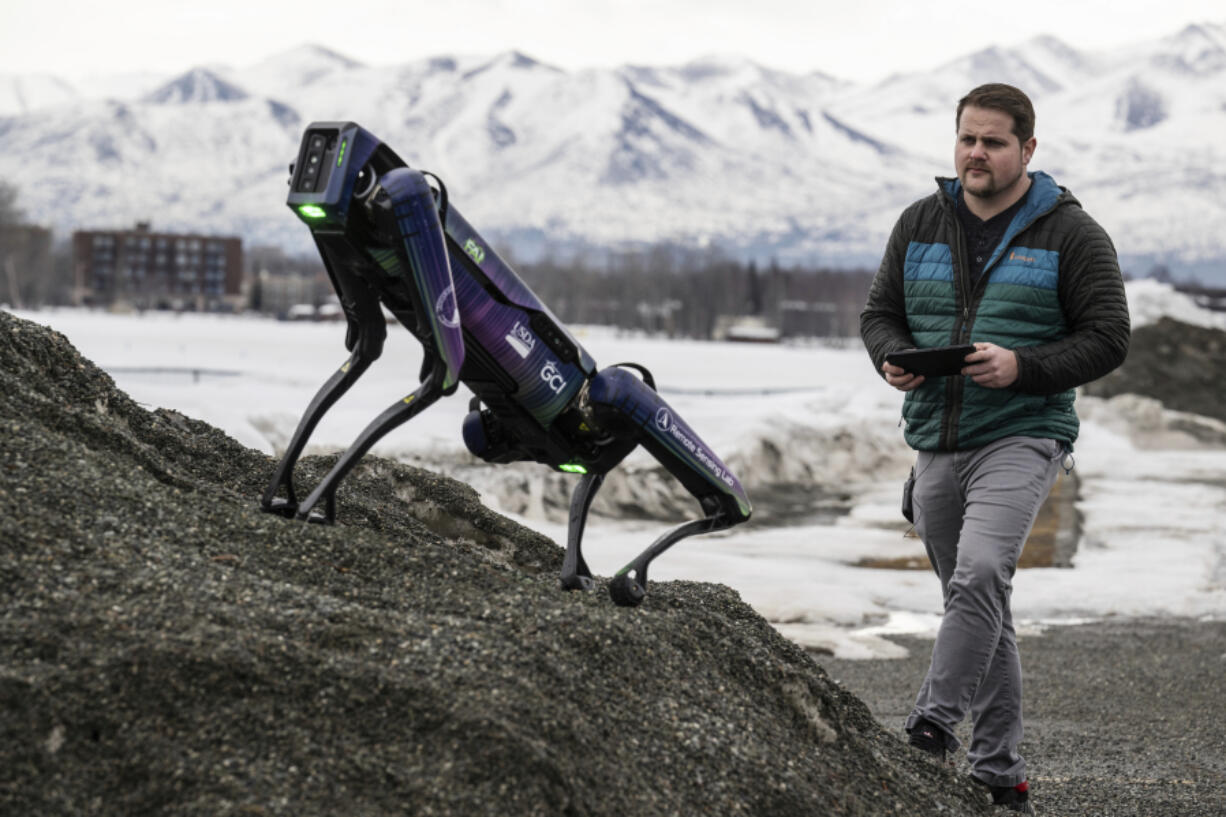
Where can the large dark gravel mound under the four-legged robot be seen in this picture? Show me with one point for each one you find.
(166, 648)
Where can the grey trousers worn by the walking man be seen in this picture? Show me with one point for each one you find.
(974, 511)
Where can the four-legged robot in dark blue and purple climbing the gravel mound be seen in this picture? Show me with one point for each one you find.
(390, 240)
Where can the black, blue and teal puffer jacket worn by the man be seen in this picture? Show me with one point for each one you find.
(1051, 291)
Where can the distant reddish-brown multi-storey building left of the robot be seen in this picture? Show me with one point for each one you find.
(147, 270)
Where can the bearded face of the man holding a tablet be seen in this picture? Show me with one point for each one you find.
(989, 158)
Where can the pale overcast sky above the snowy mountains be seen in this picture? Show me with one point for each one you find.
(855, 40)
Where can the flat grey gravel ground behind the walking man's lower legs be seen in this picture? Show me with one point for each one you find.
(1124, 718)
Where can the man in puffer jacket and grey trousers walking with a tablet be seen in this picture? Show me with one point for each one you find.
(1005, 259)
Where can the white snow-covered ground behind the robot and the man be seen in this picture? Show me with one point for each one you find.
(1154, 500)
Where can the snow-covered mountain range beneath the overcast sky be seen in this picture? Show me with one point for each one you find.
(719, 152)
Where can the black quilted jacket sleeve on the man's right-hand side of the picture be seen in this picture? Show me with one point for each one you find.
(1092, 293)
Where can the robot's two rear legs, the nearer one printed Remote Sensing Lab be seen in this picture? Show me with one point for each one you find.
(628, 408)
